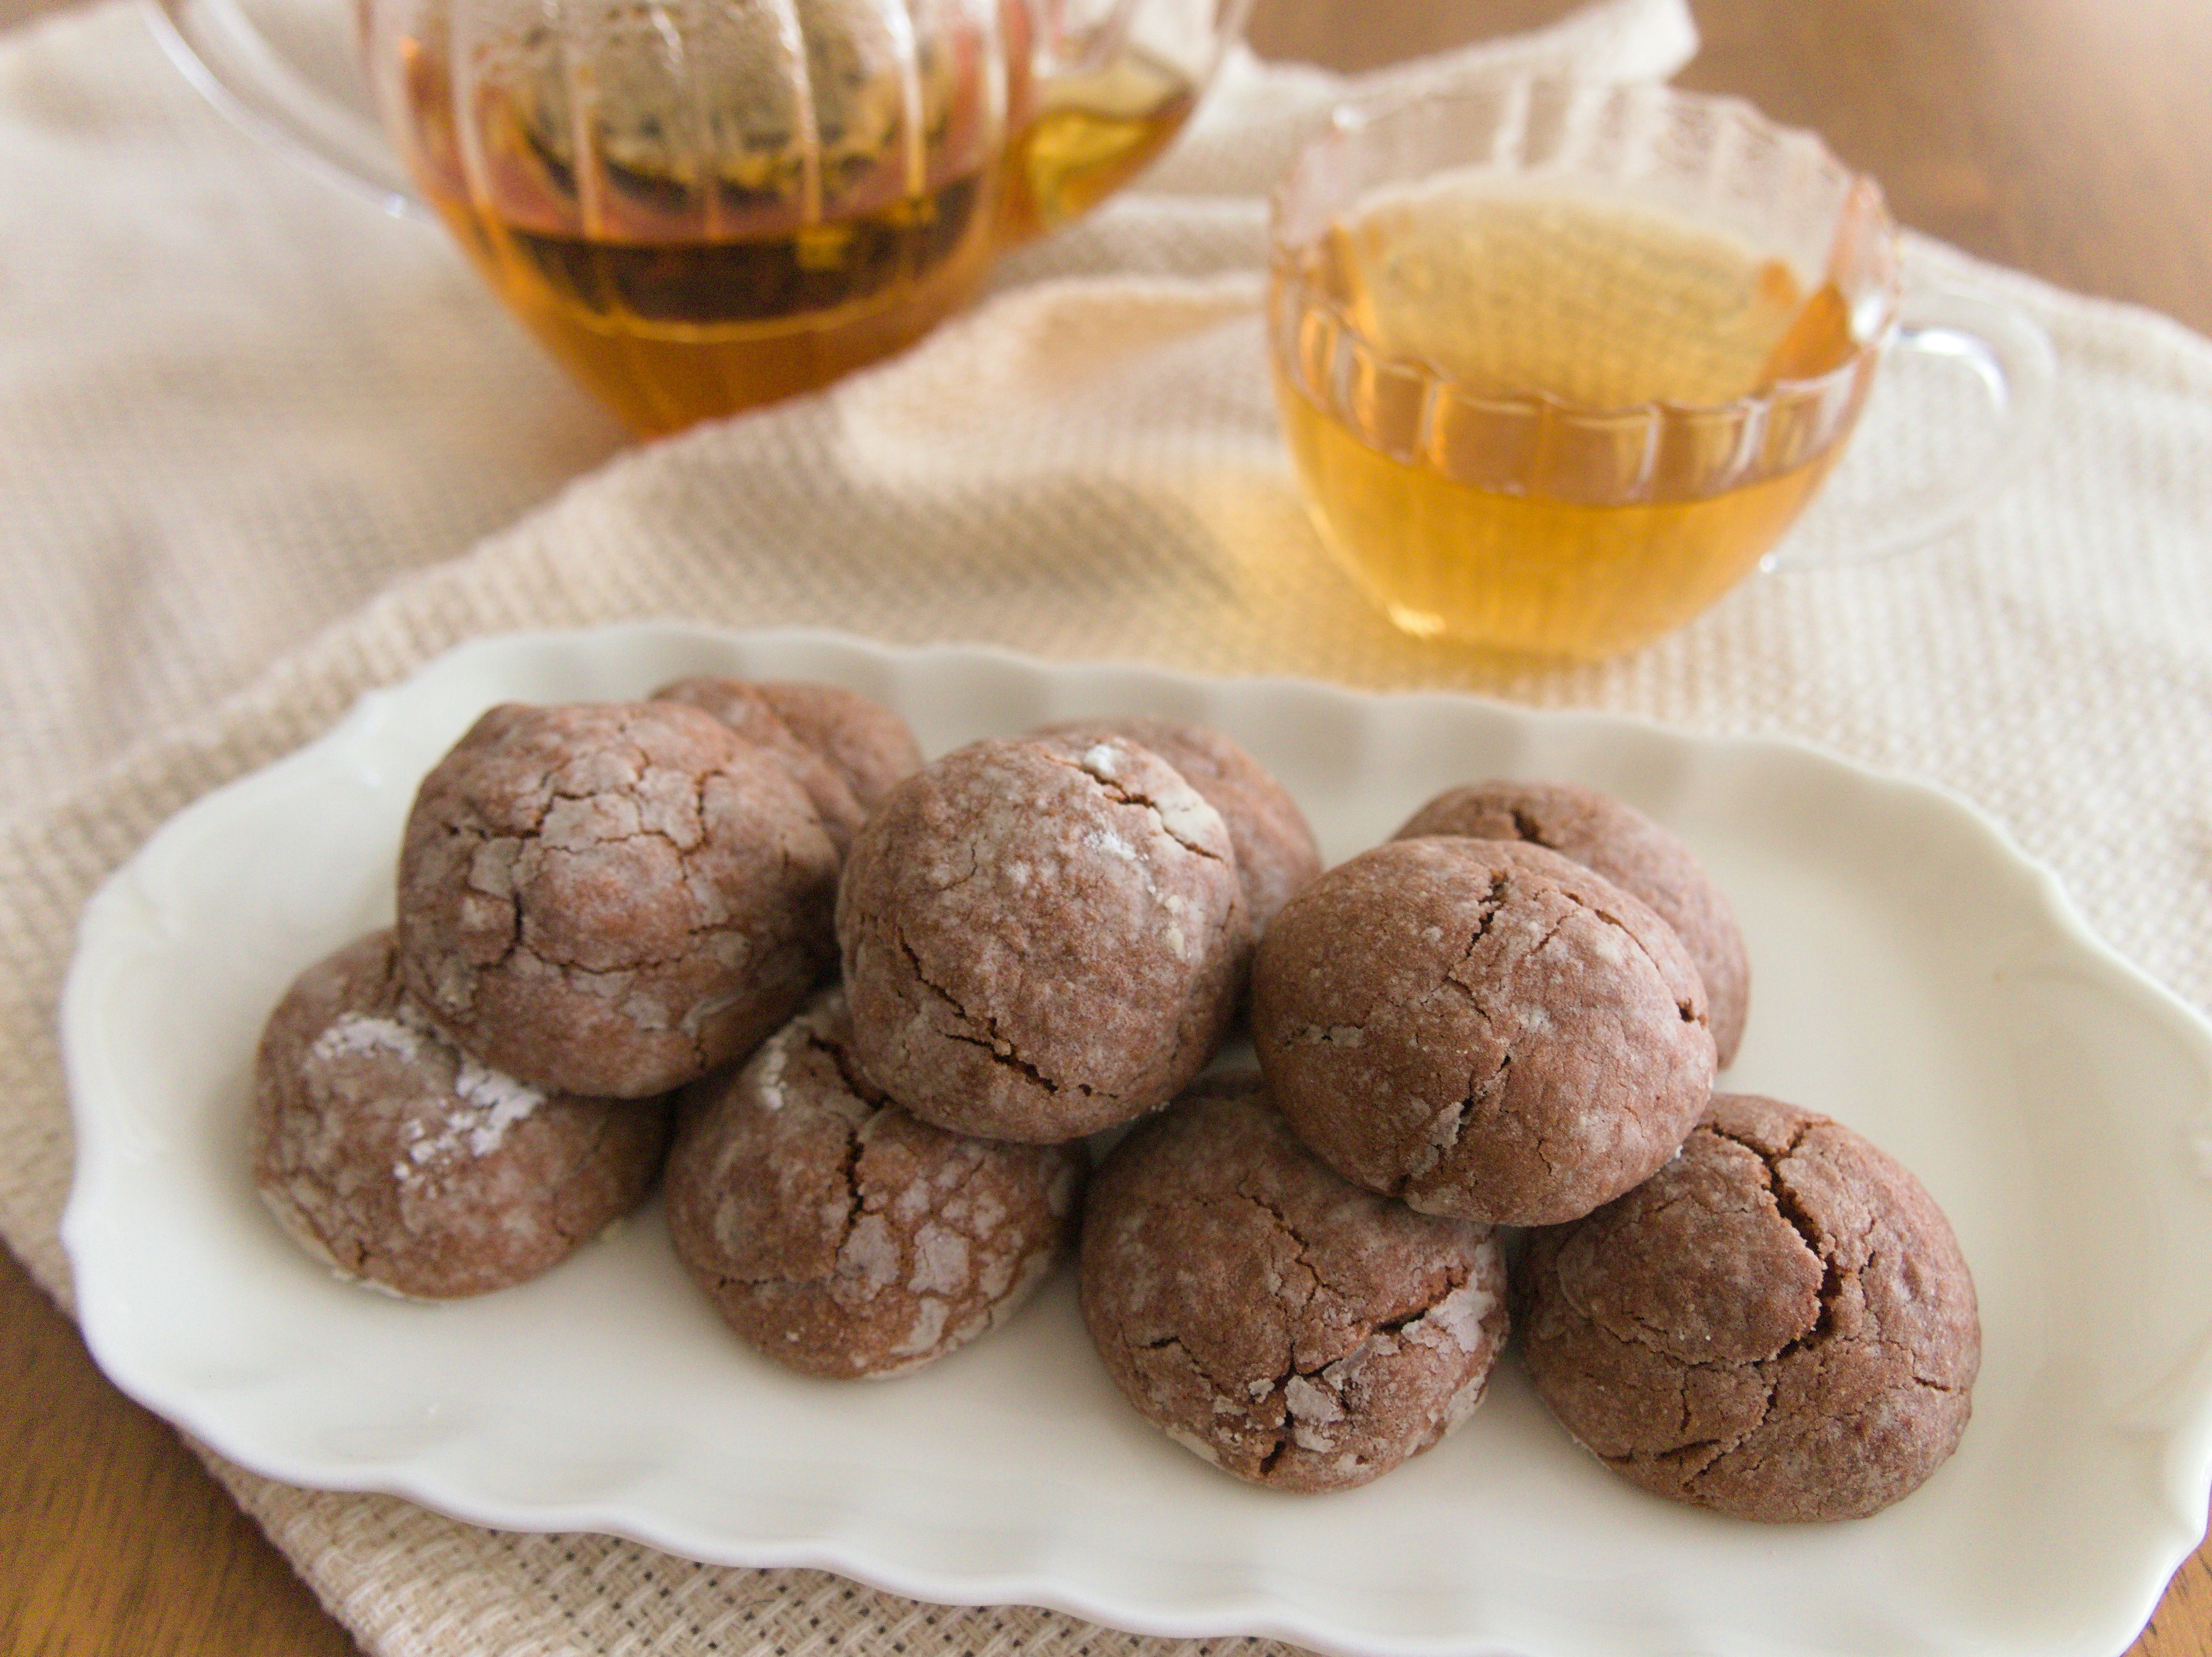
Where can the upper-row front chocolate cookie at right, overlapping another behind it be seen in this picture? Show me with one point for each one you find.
(1483, 1030)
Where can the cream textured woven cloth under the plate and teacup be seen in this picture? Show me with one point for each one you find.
(233, 406)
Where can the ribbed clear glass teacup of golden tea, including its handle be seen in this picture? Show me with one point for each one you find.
(1561, 366)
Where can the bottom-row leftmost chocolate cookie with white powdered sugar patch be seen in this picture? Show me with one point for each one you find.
(401, 1163)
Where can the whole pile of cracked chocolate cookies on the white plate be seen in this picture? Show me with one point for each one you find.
(886, 1012)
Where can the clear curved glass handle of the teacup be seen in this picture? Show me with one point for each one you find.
(2012, 357)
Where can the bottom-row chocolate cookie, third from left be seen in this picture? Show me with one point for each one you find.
(1273, 1320)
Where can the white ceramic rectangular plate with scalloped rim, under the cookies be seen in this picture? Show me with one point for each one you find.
(1914, 975)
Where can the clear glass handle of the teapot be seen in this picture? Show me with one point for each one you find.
(236, 67)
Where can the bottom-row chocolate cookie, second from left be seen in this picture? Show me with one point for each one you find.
(837, 1233)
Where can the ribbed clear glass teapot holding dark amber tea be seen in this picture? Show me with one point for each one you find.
(709, 205)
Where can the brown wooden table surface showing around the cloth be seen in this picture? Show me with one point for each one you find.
(2072, 138)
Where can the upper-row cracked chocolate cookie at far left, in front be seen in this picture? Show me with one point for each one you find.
(612, 897)
